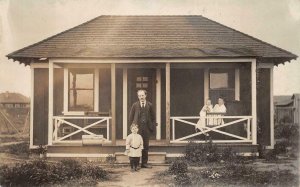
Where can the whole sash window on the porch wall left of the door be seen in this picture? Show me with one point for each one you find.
(81, 89)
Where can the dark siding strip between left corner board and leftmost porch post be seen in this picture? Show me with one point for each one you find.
(40, 116)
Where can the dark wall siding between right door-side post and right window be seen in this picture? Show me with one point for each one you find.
(187, 92)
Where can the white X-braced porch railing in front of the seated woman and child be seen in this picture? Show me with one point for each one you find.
(212, 128)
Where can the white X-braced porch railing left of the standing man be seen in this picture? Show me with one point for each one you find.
(71, 128)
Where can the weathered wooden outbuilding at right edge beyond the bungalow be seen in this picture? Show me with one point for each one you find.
(287, 108)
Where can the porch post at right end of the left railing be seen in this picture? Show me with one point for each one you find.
(113, 103)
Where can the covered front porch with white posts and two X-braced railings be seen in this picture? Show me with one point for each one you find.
(177, 90)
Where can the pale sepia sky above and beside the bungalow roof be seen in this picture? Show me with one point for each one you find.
(24, 22)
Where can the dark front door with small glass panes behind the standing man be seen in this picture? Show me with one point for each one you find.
(142, 79)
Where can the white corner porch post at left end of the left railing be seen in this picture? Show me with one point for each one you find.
(50, 107)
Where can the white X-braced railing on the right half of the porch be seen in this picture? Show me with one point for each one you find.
(214, 123)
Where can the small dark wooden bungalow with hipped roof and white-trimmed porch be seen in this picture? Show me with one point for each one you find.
(84, 81)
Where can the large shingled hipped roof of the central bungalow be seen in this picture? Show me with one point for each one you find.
(151, 37)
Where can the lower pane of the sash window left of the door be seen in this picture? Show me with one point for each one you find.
(81, 100)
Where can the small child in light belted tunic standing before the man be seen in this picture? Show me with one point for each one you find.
(134, 146)
